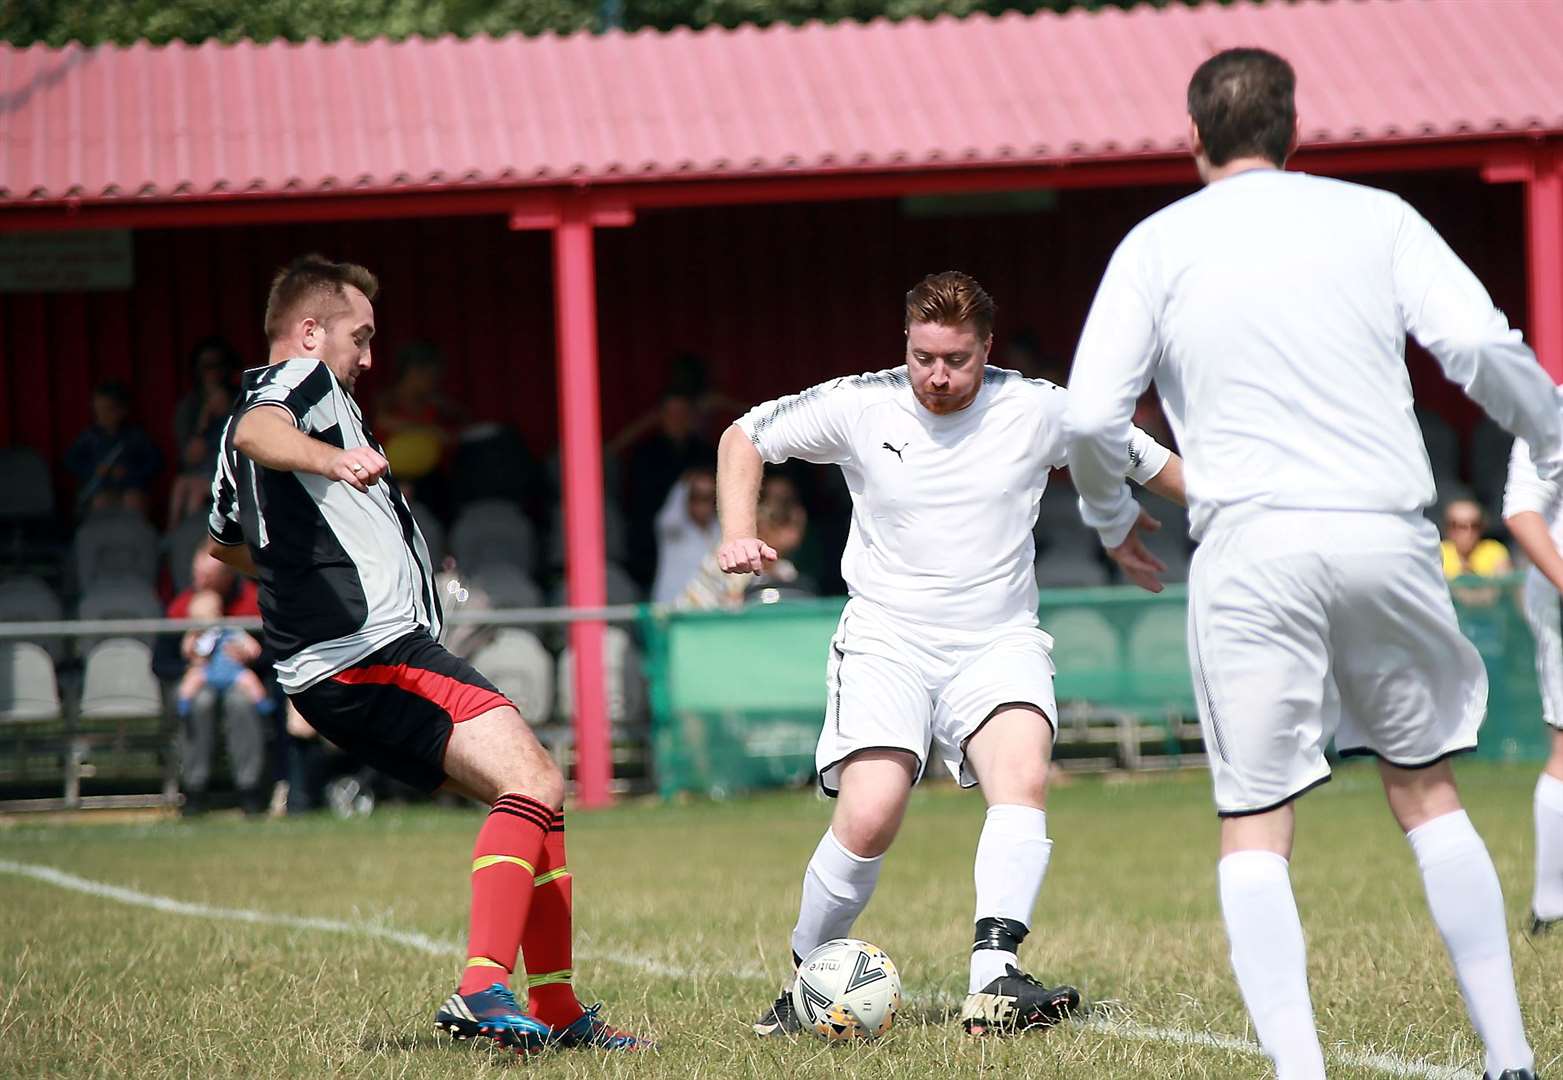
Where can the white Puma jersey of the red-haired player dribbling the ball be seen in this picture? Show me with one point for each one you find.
(942, 506)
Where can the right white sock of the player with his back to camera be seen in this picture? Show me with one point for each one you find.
(1468, 907)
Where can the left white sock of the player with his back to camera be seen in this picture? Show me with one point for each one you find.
(1272, 960)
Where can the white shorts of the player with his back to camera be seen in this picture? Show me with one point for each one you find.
(1312, 624)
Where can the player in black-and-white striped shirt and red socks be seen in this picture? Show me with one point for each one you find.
(304, 501)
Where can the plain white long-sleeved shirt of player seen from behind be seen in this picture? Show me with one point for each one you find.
(1272, 309)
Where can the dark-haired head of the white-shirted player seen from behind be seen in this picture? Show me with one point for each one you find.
(1243, 104)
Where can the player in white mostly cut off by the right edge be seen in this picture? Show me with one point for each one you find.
(1534, 513)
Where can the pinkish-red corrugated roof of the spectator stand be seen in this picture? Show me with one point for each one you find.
(191, 121)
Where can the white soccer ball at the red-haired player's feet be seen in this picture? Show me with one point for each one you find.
(846, 990)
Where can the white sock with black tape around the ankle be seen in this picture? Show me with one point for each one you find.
(1012, 860)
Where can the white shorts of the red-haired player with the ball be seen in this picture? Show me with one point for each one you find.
(900, 687)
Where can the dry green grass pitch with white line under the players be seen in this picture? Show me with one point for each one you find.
(684, 918)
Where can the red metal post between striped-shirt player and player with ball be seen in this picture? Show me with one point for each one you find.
(581, 451)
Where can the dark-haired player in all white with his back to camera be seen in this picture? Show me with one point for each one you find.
(1272, 309)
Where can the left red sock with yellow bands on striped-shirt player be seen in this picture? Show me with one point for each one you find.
(504, 862)
